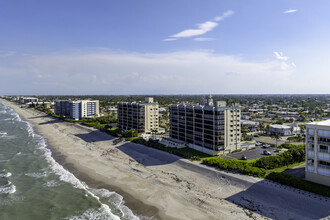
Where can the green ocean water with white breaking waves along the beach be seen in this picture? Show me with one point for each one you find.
(34, 186)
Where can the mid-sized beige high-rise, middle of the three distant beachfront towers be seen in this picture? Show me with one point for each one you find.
(140, 116)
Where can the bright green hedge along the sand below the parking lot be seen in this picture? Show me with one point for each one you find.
(235, 165)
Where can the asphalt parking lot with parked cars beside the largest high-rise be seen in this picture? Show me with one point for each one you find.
(251, 154)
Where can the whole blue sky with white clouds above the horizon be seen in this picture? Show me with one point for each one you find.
(137, 47)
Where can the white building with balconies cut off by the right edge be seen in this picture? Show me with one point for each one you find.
(318, 152)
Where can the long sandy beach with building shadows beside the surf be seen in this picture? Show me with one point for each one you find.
(164, 186)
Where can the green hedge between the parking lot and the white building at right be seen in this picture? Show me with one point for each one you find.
(294, 155)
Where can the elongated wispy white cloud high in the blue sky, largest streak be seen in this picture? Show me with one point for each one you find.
(201, 29)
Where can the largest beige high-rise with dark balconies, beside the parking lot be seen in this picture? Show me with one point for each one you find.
(210, 128)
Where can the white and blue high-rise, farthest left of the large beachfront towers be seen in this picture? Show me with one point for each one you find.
(77, 109)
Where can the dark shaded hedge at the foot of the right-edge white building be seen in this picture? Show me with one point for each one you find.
(299, 183)
